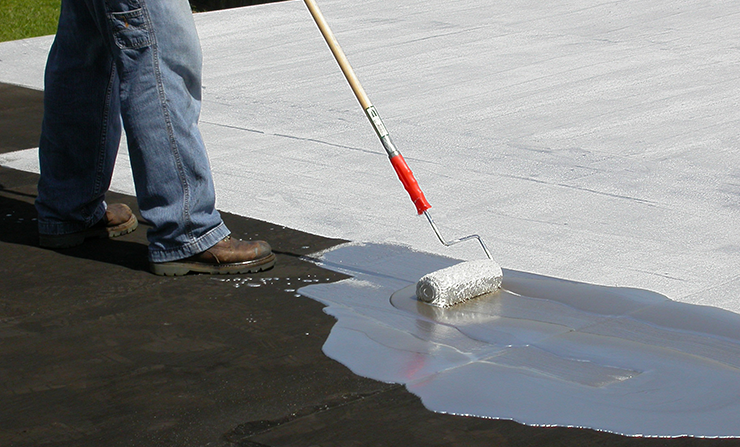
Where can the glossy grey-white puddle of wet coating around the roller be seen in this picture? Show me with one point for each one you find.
(542, 351)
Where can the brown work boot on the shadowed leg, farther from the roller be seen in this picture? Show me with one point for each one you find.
(117, 221)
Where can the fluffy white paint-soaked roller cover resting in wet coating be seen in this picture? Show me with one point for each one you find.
(461, 282)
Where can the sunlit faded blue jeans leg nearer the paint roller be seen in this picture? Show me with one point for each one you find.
(156, 57)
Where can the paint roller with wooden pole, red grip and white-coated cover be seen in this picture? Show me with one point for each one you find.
(445, 287)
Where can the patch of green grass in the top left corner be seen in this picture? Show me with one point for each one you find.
(20, 19)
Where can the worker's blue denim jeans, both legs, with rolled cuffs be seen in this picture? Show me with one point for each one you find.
(133, 65)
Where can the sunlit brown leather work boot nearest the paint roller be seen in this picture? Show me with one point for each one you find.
(228, 256)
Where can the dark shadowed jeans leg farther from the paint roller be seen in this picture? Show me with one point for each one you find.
(81, 128)
